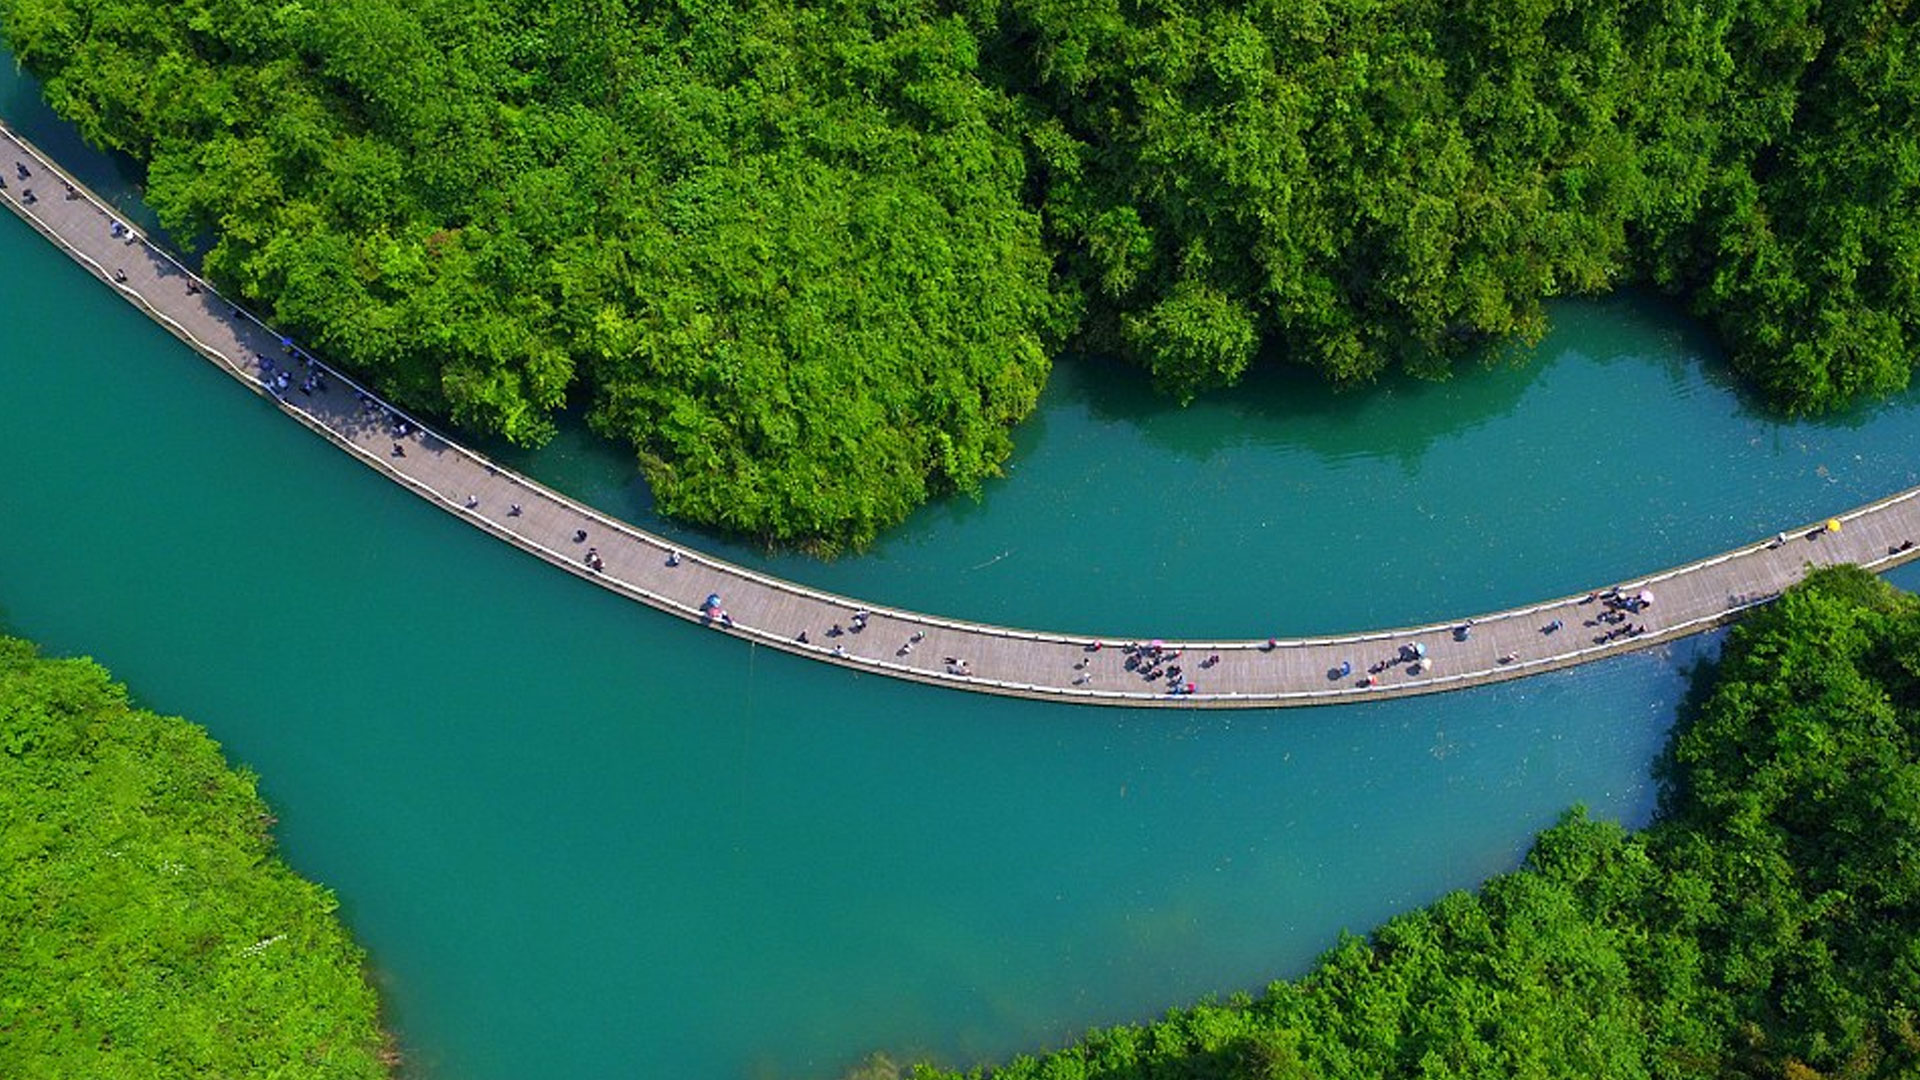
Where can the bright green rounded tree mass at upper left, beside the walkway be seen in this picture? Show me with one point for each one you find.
(780, 245)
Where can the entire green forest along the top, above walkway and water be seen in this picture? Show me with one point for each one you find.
(813, 258)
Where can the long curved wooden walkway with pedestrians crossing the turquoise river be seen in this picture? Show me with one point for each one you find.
(907, 645)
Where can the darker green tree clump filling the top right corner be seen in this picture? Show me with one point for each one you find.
(1808, 255)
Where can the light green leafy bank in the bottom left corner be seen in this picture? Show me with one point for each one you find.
(147, 929)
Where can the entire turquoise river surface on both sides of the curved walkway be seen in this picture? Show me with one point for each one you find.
(581, 839)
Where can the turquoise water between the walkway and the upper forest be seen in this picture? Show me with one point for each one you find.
(1287, 508)
